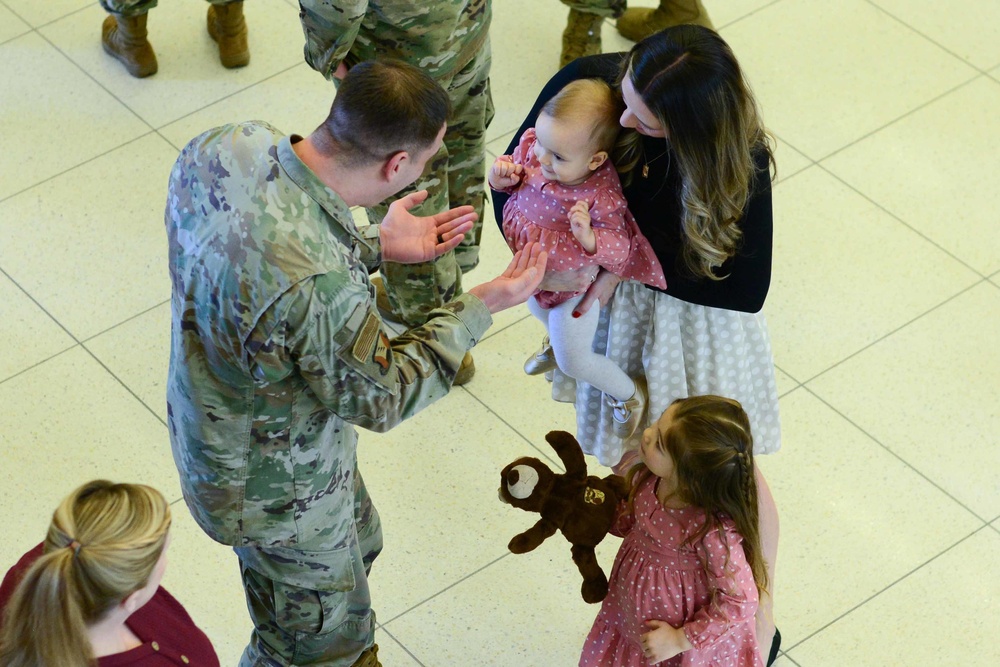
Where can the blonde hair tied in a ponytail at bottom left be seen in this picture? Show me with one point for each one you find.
(102, 546)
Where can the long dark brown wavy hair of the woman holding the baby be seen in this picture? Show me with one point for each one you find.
(690, 79)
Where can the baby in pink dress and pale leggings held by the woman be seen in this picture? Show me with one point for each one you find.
(565, 194)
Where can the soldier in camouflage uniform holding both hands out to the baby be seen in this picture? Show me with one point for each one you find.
(278, 352)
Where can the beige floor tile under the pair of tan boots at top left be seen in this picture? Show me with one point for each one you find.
(190, 75)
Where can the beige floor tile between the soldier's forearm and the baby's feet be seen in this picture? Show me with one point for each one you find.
(522, 401)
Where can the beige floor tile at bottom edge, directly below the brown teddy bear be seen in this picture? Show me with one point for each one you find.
(521, 610)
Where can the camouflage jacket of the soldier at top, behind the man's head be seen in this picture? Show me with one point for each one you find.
(440, 37)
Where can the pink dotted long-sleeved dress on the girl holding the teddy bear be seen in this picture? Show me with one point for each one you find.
(706, 587)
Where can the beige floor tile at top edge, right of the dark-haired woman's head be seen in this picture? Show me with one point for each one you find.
(821, 87)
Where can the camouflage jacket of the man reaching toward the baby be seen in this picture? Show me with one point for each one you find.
(277, 349)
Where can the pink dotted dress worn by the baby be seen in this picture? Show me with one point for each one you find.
(538, 210)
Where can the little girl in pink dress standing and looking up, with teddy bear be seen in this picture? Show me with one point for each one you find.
(685, 584)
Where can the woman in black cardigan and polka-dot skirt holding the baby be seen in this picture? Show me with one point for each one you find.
(700, 191)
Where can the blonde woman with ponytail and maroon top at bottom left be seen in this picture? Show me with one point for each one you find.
(90, 593)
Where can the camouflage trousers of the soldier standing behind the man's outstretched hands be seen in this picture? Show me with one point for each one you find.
(454, 177)
